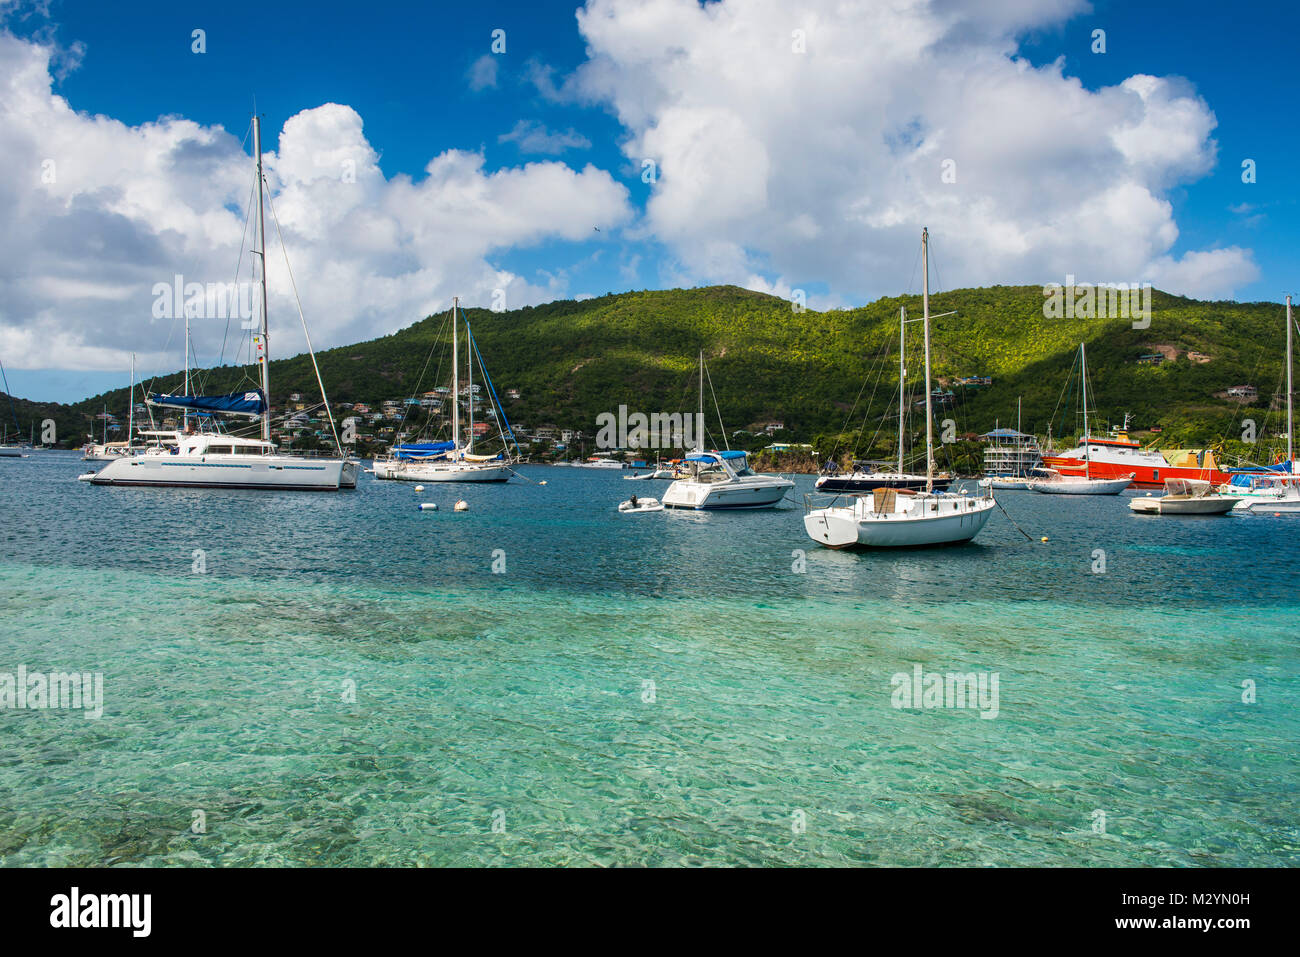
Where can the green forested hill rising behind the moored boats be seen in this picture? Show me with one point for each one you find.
(573, 361)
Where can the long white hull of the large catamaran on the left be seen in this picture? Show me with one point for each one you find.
(271, 473)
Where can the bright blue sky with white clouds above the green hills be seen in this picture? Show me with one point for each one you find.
(406, 72)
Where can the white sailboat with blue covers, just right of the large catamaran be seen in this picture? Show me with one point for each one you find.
(448, 462)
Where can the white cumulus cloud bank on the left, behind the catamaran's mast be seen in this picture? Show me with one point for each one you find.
(97, 213)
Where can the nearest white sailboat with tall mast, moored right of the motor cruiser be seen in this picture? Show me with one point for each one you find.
(898, 518)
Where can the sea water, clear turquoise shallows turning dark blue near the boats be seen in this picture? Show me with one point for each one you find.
(522, 699)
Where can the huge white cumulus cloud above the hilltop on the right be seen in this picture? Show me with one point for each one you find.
(809, 142)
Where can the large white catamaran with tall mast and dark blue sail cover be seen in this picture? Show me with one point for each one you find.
(213, 460)
